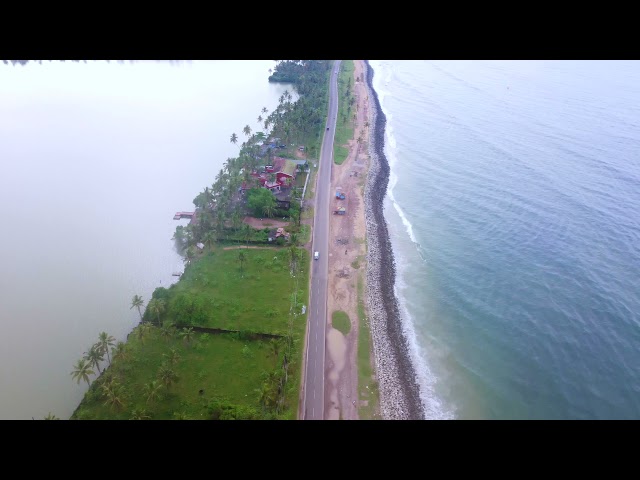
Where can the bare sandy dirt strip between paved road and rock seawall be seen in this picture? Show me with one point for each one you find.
(346, 262)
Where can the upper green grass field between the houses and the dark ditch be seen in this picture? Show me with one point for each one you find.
(252, 296)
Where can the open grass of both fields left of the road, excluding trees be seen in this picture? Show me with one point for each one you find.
(231, 369)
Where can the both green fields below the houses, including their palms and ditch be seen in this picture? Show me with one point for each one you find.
(250, 371)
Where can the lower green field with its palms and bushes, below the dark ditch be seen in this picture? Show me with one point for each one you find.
(165, 376)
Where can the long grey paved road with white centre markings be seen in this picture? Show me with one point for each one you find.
(314, 369)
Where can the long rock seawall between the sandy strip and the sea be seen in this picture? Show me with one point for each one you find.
(396, 374)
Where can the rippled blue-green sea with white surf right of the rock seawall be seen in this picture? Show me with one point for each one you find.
(514, 210)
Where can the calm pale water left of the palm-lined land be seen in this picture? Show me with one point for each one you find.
(96, 159)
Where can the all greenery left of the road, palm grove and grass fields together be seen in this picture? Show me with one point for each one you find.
(224, 342)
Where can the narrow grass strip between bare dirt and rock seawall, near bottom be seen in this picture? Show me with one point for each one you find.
(365, 370)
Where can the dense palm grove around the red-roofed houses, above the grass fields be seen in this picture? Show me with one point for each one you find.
(221, 208)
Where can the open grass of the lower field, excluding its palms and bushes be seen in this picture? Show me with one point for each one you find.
(218, 365)
